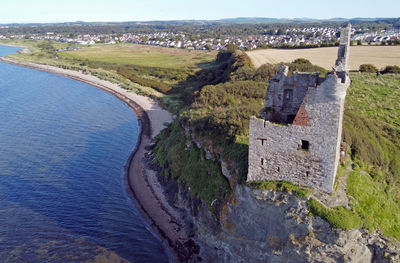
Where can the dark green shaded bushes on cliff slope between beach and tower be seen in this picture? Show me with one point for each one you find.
(189, 166)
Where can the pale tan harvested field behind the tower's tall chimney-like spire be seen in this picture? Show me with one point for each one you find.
(380, 56)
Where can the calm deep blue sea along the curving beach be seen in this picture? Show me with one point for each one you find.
(63, 147)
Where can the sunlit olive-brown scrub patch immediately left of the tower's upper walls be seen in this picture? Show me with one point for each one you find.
(224, 110)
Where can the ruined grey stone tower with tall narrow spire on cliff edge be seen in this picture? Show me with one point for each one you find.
(298, 139)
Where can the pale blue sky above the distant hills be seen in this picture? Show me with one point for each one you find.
(145, 10)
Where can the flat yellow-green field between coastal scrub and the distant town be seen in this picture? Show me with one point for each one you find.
(139, 55)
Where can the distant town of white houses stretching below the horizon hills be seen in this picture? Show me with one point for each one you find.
(312, 36)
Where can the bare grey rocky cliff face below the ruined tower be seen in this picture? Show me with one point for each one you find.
(268, 226)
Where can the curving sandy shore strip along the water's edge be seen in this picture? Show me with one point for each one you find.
(141, 181)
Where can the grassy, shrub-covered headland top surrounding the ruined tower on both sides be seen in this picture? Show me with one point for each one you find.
(218, 115)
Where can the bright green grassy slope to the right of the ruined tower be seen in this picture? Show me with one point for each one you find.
(372, 131)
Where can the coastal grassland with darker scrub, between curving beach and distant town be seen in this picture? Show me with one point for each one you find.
(148, 70)
